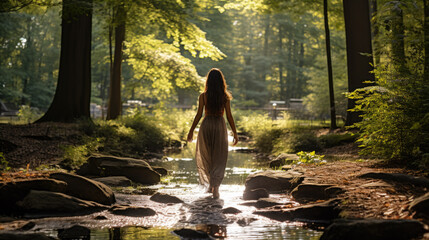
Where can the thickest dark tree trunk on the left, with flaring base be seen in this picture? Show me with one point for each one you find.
(72, 96)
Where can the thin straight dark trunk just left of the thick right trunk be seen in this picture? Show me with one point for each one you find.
(329, 63)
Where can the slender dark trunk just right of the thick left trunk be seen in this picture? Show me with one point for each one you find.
(115, 103)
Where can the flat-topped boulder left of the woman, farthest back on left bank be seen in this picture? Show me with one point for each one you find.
(135, 169)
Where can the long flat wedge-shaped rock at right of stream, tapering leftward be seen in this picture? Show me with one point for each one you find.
(313, 213)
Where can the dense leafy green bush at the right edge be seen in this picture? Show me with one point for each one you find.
(395, 117)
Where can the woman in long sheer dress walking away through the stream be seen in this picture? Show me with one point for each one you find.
(212, 140)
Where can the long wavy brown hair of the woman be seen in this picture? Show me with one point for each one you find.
(216, 91)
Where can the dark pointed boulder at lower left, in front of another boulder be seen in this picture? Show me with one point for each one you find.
(56, 204)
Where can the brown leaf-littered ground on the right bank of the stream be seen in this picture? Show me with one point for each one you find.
(367, 198)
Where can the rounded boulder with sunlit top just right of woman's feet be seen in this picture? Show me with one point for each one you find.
(274, 181)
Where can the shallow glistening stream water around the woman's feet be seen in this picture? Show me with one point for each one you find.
(199, 211)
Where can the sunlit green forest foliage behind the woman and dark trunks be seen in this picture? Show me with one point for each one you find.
(268, 50)
